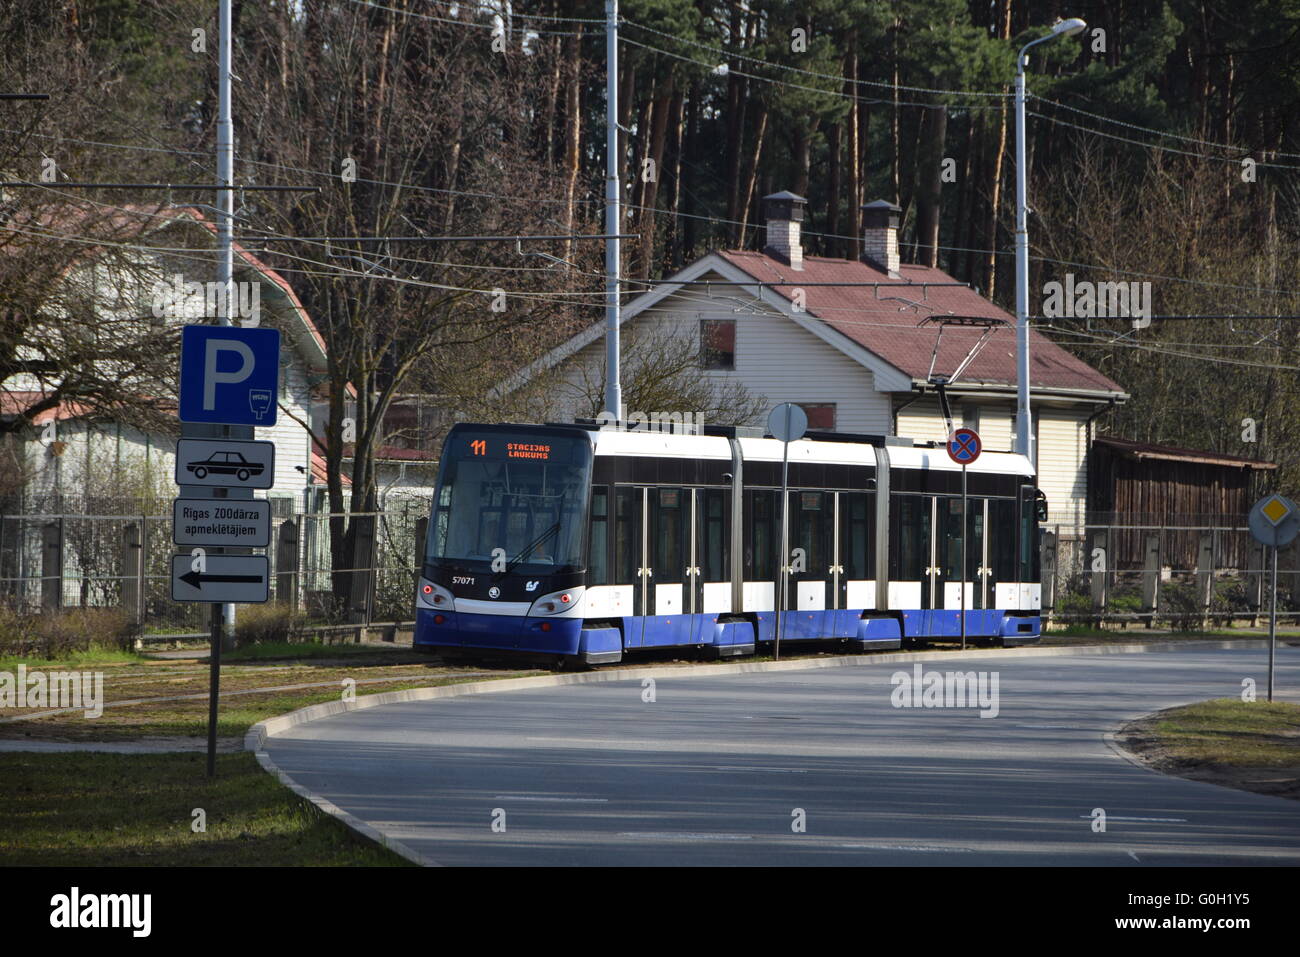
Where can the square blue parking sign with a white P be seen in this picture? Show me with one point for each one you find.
(229, 375)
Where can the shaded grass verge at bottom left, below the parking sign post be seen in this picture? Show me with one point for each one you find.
(85, 811)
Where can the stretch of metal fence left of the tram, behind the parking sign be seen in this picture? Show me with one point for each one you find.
(123, 560)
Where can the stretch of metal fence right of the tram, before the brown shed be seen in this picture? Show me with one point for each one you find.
(1181, 571)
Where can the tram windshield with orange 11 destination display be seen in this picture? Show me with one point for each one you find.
(525, 495)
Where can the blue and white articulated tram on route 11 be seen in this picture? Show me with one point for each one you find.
(587, 544)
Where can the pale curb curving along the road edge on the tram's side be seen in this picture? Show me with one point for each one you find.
(257, 737)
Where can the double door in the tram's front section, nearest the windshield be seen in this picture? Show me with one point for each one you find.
(666, 553)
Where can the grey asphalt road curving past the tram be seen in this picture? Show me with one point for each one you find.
(713, 770)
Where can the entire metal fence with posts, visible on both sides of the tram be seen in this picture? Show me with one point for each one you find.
(1185, 570)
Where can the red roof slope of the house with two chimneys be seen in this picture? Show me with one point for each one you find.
(890, 327)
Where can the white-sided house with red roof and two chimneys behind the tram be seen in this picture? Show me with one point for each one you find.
(855, 344)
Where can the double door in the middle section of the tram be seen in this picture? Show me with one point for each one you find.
(812, 558)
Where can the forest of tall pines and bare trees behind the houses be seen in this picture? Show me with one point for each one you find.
(1164, 148)
